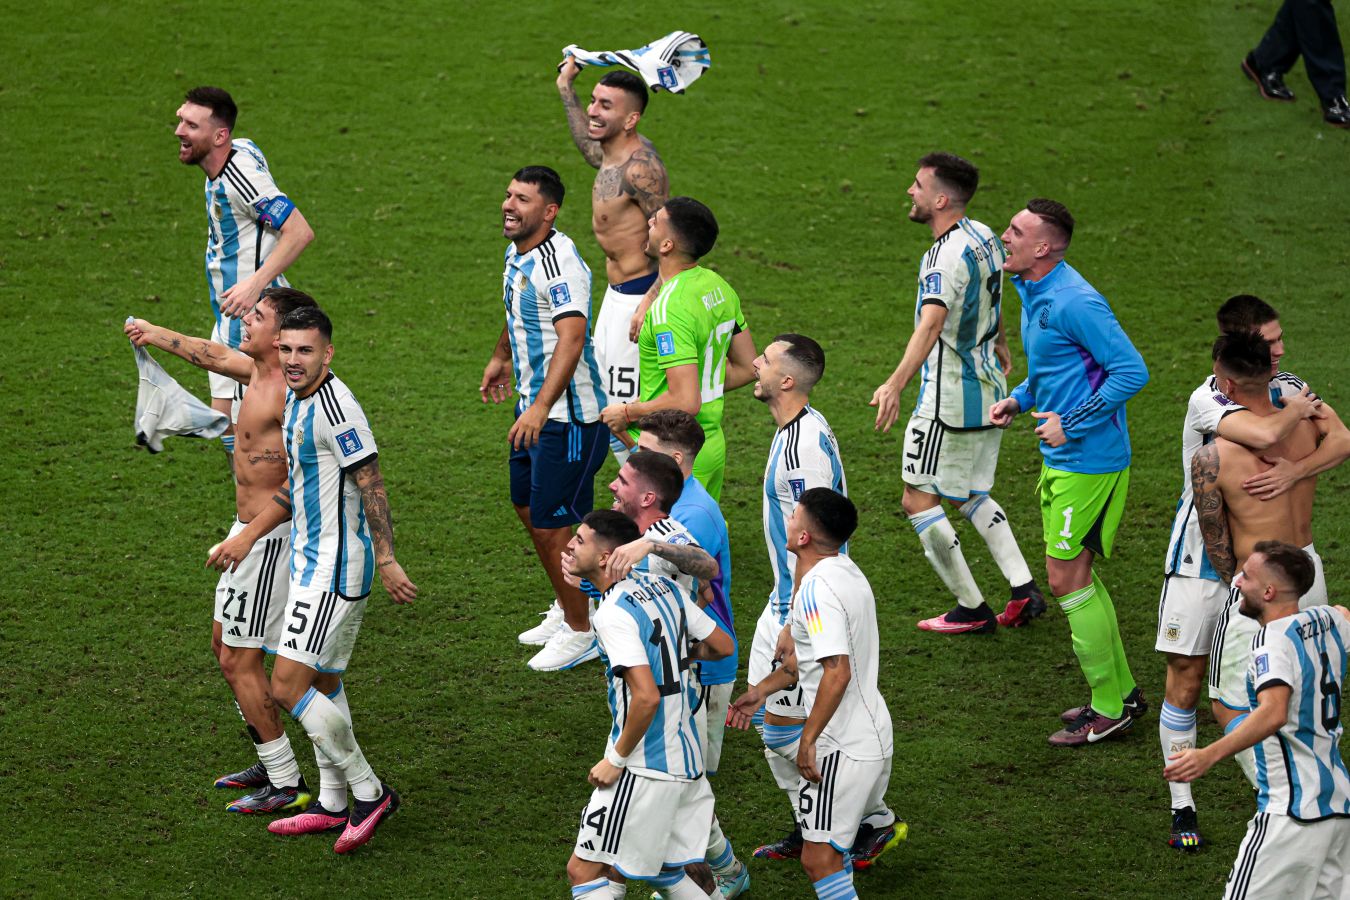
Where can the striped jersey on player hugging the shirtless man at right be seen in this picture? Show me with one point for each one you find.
(1205, 411)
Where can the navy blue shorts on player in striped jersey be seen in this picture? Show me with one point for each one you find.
(556, 478)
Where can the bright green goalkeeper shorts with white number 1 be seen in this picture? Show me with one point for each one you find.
(1082, 512)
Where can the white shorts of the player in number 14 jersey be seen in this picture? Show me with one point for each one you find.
(641, 825)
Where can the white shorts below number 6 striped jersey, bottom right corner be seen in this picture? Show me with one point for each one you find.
(1283, 857)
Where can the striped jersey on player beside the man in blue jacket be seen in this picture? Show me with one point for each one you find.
(962, 377)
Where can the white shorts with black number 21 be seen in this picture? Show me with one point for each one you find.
(252, 601)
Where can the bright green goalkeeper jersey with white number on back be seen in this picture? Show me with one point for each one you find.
(692, 323)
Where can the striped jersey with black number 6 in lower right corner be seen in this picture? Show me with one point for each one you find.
(1301, 771)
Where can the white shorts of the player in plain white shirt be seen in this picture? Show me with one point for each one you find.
(850, 791)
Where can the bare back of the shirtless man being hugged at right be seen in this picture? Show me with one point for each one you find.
(1232, 520)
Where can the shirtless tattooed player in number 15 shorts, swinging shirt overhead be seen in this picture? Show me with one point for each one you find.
(630, 188)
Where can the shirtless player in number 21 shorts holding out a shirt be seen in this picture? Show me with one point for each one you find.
(252, 594)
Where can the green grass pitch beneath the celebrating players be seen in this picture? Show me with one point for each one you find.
(396, 129)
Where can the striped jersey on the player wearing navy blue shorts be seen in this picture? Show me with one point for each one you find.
(541, 288)
